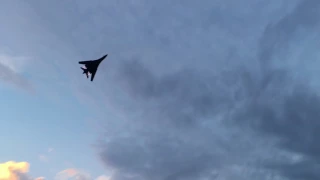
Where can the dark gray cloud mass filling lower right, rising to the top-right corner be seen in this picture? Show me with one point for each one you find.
(194, 124)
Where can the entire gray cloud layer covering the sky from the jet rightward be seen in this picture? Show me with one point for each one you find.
(219, 90)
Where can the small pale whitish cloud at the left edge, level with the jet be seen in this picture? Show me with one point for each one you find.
(10, 68)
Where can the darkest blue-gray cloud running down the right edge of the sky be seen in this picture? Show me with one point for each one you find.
(290, 112)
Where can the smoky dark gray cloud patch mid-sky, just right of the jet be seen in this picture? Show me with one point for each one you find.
(181, 97)
